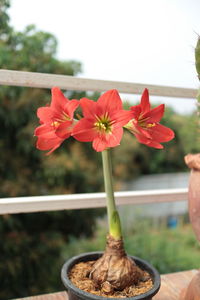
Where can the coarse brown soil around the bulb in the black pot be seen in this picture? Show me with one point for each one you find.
(79, 276)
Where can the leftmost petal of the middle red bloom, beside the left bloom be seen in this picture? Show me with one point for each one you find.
(83, 131)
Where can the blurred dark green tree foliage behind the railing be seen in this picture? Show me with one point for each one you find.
(32, 245)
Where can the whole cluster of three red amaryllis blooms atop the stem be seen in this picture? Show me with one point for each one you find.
(102, 123)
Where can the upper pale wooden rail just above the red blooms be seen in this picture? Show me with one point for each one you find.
(41, 80)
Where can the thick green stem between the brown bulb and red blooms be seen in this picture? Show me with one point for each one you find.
(113, 216)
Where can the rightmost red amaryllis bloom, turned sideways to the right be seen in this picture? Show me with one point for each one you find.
(145, 123)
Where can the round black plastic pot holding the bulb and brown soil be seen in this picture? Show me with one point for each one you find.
(75, 293)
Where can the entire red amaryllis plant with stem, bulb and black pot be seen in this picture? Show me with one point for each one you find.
(112, 273)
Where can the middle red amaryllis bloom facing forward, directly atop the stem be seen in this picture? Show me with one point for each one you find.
(103, 121)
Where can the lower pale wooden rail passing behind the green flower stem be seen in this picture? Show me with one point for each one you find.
(92, 200)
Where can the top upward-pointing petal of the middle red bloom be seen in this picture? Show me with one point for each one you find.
(110, 101)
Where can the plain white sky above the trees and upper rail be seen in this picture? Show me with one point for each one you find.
(145, 41)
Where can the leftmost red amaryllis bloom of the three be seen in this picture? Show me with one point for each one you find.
(56, 121)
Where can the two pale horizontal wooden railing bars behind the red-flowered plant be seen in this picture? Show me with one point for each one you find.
(77, 201)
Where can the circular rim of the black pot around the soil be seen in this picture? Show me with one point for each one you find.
(69, 285)
